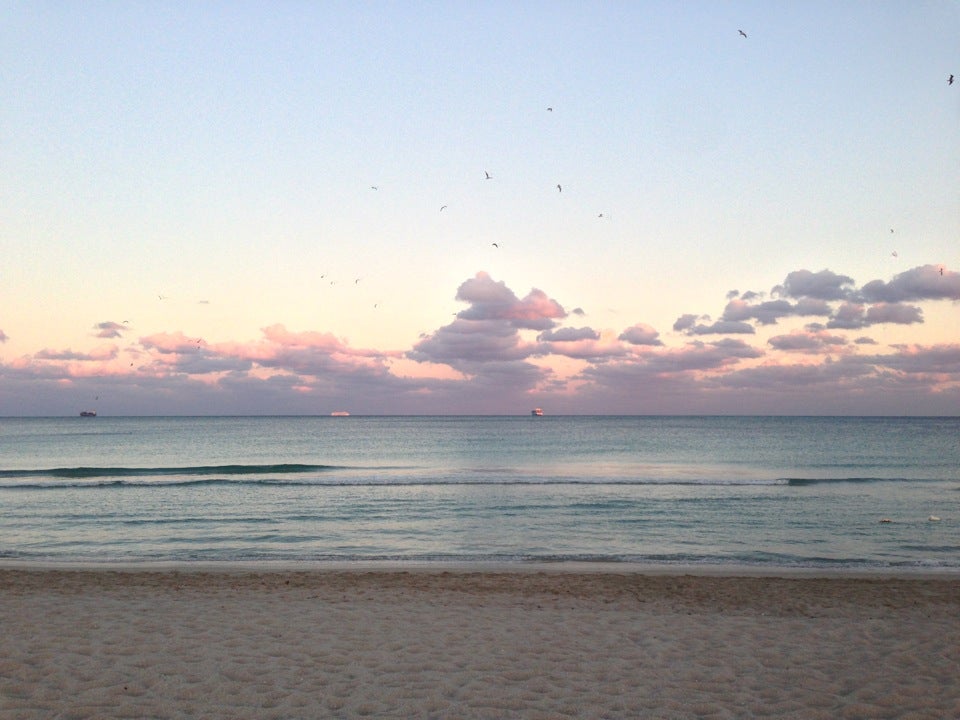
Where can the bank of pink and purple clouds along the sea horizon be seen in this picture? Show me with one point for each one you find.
(503, 352)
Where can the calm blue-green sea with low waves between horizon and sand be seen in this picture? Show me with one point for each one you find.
(759, 491)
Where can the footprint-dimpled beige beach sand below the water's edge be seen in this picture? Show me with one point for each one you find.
(463, 644)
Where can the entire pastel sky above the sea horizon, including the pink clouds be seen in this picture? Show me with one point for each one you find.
(479, 208)
